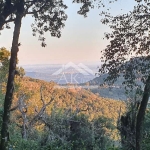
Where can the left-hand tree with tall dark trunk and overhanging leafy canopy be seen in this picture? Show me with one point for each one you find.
(49, 16)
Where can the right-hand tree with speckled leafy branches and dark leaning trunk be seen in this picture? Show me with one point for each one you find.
(129, 40)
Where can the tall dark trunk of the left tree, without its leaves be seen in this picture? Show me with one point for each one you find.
(10, 82)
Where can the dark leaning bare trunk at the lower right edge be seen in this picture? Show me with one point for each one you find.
(141, 114)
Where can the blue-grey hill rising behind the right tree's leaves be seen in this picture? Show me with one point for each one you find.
(117, 90)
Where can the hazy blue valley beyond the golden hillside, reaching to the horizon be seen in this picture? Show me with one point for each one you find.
(73, 76)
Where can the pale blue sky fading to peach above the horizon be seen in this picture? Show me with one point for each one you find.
(81, 40)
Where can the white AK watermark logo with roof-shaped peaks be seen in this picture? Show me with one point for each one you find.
(74, 74)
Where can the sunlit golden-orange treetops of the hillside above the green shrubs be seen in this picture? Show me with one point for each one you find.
(66, 98)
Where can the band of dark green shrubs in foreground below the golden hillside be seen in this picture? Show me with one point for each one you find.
(65, 131)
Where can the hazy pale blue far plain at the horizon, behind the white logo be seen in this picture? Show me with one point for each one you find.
(62, 74)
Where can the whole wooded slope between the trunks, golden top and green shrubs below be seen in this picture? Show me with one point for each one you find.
(45, 115)
